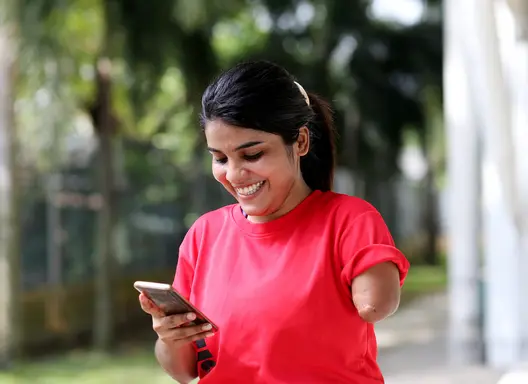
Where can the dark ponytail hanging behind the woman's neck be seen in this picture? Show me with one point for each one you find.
(318, 165)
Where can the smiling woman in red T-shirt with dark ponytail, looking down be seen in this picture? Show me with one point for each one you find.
(294, 275)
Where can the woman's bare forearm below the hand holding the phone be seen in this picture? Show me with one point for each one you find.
(178, 361)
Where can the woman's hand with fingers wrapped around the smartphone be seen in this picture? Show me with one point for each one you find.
(174, 329)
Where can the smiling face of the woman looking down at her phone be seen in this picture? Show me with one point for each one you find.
(257, 168)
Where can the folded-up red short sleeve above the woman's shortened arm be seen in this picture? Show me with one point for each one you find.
(365, 241)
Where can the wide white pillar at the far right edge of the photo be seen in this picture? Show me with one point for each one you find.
(505, 273)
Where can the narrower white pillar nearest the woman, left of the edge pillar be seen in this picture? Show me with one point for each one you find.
(463, 189)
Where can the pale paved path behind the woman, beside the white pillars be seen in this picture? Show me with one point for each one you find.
(413, 347)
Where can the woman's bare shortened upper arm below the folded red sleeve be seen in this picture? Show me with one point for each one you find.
(376, 292)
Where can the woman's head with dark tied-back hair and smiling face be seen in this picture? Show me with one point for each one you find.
(285, 142)
